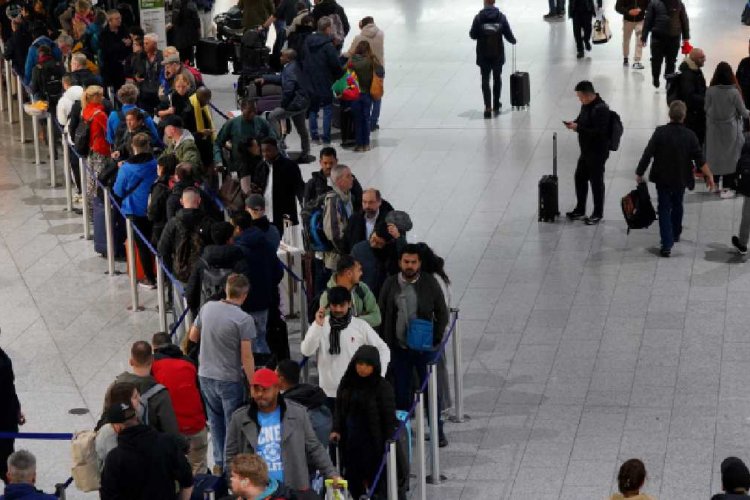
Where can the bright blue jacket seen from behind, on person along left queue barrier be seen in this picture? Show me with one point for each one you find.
(140, 171)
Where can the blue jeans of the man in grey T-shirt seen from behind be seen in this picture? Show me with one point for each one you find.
(222, 398)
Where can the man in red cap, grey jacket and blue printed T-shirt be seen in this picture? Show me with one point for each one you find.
(280, 432)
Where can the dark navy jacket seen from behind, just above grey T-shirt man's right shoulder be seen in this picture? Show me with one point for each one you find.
(261, 266)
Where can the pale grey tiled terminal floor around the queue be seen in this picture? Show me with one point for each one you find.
(581, 346)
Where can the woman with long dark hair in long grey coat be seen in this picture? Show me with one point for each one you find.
(725, 111)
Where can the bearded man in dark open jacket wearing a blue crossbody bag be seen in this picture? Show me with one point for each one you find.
(406, 299)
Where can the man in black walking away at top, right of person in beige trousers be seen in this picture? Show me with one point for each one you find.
(667, 21)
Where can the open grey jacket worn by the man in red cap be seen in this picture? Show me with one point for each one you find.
(299, 445)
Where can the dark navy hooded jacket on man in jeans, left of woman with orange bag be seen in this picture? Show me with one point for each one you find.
(320, 63)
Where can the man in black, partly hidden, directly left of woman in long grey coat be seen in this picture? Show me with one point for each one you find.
(692, 91)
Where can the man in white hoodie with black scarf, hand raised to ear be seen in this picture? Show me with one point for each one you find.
(336, 337)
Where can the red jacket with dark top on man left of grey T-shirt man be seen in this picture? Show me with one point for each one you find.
(179, 375)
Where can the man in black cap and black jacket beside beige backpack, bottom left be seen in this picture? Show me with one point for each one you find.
(146, 464)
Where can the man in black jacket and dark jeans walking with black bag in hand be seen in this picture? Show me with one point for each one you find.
(675, 150)
